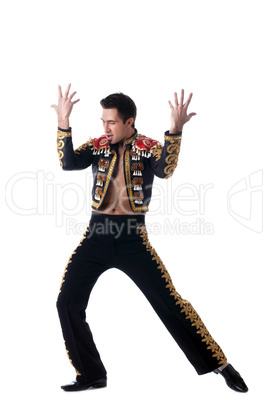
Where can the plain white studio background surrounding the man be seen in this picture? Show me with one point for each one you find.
(148, 50)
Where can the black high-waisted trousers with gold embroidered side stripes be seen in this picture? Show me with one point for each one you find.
(121, 241)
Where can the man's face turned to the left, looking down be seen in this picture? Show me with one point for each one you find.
(114, 127)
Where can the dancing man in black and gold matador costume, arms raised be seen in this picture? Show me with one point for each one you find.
(124, 164)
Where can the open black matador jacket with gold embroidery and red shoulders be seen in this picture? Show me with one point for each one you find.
(143, 158)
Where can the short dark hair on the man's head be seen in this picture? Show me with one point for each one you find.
(124, 104)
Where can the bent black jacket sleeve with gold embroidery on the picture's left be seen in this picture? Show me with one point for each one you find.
(69, 159)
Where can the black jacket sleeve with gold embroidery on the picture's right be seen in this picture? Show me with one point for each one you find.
(164, 158)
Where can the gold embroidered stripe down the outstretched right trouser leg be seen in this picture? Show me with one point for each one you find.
(185, 306)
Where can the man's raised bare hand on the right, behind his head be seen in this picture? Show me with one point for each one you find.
(179, 113)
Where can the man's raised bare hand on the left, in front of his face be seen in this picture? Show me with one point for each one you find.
(64, 107)
